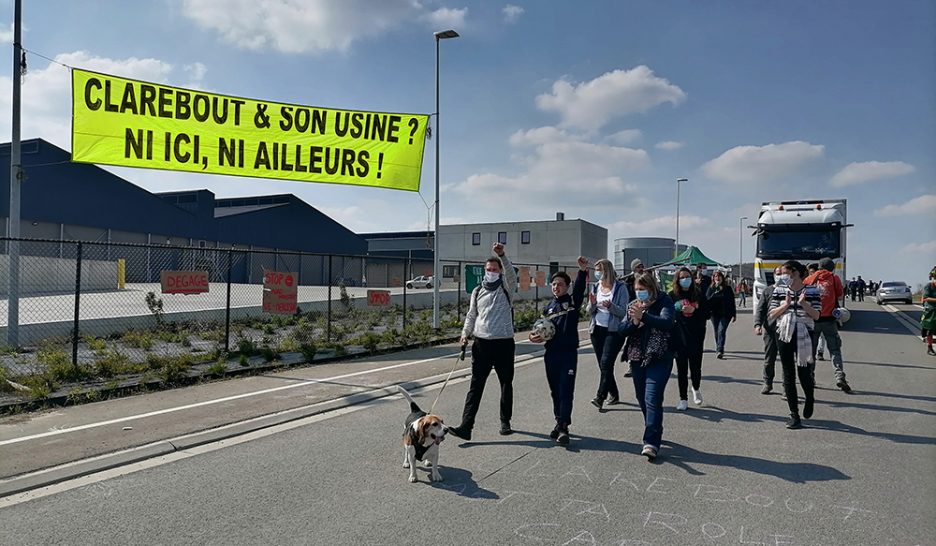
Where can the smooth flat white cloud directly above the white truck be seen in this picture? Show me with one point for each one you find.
(752, 164)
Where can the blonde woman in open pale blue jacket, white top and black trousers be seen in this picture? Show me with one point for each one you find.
(607, 306)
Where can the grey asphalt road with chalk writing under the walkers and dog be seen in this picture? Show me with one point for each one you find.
(861, 472)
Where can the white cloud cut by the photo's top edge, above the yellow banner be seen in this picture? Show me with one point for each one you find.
(300, 26)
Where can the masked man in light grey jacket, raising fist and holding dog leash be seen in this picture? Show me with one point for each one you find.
(490, 323)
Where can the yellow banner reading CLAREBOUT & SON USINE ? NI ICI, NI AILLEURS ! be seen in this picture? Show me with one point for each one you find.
(130, 123)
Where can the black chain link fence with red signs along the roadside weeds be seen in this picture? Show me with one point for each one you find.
(98, 311)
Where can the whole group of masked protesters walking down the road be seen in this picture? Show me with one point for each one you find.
(652, 329)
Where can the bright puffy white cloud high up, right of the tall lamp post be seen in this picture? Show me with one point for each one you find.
(592, 104)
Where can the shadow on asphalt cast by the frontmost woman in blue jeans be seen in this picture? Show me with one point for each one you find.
(684, 457)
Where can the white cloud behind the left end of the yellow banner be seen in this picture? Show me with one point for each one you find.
(47, 91)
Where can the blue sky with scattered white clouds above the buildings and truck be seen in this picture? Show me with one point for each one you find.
(590, 108)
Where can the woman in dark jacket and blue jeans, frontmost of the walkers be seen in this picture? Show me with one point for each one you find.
(647, 331)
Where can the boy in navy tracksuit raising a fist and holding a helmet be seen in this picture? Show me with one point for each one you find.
(562, 350)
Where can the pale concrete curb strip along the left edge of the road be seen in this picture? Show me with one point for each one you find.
(77, 469)
